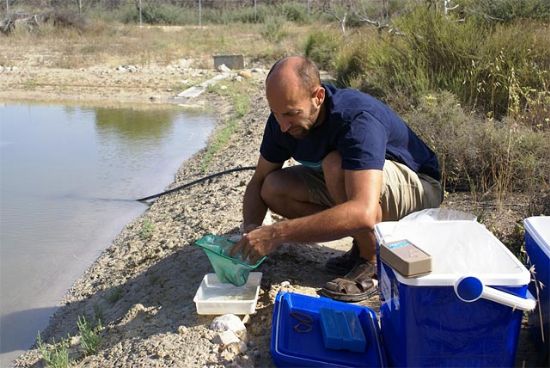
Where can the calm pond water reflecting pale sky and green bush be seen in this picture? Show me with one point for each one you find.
(68, 177)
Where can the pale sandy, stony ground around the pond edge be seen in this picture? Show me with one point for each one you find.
(142, 287)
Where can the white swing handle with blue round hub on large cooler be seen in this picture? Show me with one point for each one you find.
(470, 288)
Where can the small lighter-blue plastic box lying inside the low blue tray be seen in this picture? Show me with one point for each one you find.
(342, 330)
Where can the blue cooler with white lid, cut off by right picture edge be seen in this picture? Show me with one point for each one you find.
(537, 245)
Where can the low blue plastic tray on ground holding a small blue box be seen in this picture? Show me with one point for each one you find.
(299, 337)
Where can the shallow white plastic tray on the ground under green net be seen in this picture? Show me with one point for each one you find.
(214, 297)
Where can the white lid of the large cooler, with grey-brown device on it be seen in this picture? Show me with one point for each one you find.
(457, 248)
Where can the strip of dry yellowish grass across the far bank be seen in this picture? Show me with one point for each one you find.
(115, 44)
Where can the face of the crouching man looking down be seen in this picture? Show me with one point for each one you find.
(296, 111)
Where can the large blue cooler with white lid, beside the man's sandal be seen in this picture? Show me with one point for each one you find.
(466, 312)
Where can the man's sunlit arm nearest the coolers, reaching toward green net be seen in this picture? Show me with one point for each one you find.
(359, 213)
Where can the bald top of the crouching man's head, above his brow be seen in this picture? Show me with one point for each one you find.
(294, 72)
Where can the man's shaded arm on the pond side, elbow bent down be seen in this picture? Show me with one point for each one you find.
(254, 208)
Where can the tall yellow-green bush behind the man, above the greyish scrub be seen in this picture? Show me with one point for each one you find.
(496, 69)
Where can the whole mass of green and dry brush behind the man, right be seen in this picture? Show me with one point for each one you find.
(473, 83)
